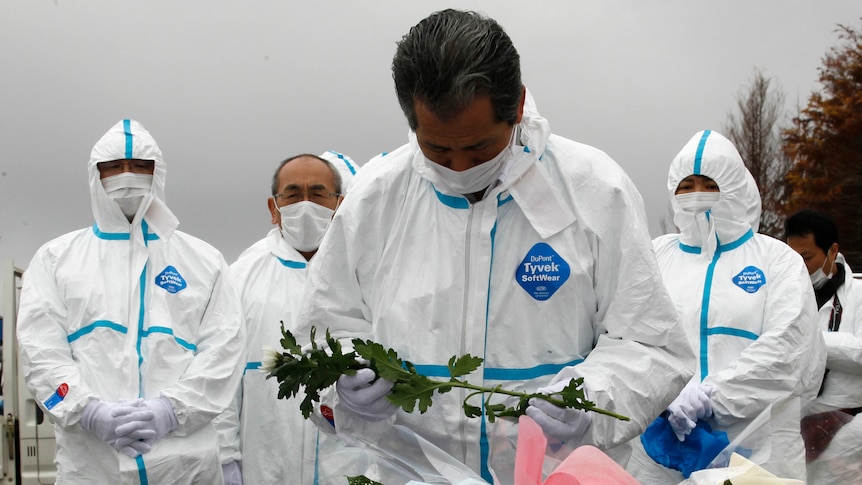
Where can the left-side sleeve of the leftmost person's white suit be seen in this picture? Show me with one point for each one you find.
(46, 358)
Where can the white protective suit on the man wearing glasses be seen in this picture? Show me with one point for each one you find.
(269, 436)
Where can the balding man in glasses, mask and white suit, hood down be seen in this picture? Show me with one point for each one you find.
(265, 439)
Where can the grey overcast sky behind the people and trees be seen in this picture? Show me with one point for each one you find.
(230, 88)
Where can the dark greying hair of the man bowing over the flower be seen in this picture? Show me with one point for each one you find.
(449, 58)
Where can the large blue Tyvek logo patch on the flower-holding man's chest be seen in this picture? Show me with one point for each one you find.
(542, 272)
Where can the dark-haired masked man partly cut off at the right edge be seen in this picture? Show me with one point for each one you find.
(832, 426)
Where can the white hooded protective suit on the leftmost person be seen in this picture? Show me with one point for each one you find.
(117, 312)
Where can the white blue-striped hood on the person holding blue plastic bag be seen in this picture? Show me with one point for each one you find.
(737, 211)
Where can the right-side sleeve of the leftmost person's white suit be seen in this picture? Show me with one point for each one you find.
(209, 384)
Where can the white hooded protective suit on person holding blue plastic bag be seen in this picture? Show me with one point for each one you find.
(747, 304)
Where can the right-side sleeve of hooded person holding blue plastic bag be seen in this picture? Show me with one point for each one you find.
(787, 359)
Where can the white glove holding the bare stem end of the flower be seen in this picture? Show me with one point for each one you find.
(564, 424)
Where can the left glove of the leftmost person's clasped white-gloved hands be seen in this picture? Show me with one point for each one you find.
(118, 424)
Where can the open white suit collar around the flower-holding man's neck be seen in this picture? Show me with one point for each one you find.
(521, 175)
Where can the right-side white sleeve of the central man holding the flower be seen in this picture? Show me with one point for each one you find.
(641, 359)
